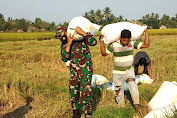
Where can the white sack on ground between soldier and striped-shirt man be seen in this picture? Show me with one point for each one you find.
(98, 80)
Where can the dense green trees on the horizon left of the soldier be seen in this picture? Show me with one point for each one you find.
(12, 25)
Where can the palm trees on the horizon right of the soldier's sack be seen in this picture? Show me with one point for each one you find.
(105, 16)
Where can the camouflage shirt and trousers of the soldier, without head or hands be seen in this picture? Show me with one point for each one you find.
(81, 71)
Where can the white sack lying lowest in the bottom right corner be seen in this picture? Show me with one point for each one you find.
(162, 112)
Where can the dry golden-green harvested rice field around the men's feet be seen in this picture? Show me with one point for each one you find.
(33, 68)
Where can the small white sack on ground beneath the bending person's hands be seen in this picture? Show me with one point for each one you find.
(143, 78)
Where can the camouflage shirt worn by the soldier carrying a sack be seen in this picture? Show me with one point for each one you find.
(79, 54)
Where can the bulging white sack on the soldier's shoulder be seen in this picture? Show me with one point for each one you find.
(84, 24)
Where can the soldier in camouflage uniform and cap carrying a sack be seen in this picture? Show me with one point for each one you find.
(81, 69)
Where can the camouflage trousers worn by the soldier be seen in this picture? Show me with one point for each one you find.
(80, 89)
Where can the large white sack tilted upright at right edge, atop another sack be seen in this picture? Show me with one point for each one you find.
(165, 96)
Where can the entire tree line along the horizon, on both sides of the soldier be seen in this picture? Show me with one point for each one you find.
(101, 17)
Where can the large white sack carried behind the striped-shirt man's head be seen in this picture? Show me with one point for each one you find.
(113, 31)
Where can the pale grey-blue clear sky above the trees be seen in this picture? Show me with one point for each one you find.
(59, 11)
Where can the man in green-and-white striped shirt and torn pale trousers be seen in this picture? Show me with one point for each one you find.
(123, 70)
